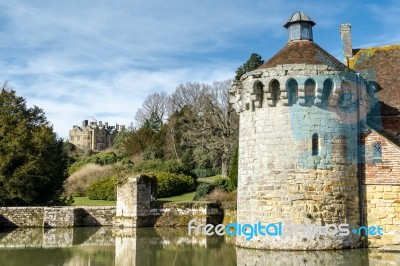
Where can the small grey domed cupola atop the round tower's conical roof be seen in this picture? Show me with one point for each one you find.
(299, 27)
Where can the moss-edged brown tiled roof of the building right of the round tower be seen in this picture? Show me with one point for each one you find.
(381, 64)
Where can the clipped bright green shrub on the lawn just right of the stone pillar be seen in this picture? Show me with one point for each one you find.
(170, 184)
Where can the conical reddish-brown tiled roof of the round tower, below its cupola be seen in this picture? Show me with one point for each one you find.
(304, 52)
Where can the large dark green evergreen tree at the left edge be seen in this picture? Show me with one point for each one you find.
(32, 159)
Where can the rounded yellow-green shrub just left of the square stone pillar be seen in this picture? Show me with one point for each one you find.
(104, 189)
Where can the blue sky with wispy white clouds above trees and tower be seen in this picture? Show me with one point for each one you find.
(83, 59)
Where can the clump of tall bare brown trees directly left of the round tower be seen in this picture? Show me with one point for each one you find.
(201, 129)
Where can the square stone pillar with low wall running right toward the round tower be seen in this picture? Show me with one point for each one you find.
(137, 207)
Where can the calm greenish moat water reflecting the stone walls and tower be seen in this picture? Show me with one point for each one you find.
(165, 246)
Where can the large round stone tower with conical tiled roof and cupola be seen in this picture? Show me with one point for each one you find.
(298, 147)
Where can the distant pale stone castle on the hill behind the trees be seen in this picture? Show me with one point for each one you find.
(94, 136)
